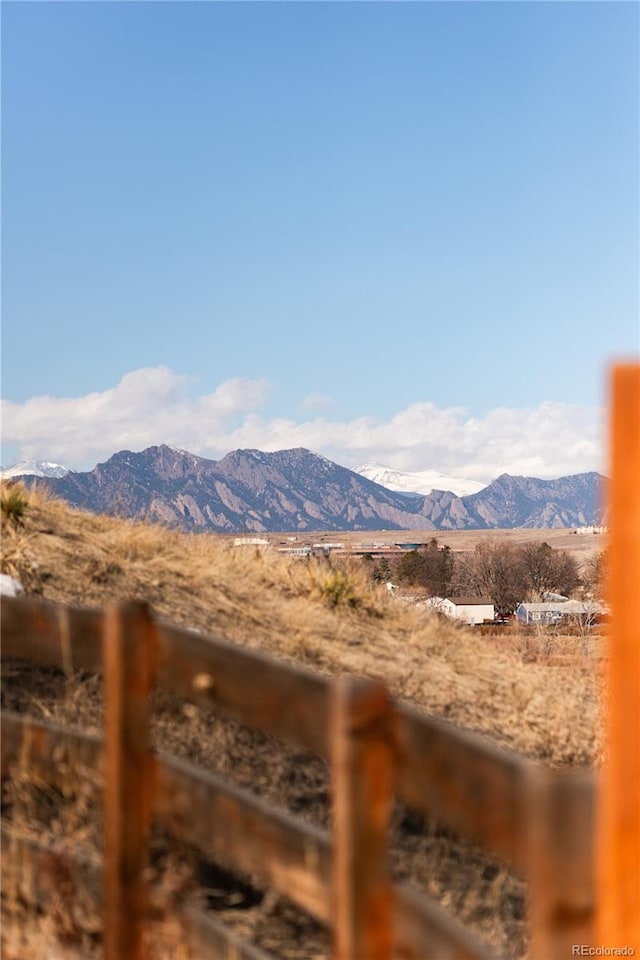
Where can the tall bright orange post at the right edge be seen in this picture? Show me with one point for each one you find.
(618, 854)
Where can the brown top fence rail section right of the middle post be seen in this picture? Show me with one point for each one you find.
(468, 784)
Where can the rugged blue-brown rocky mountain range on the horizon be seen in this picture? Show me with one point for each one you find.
(297, 490)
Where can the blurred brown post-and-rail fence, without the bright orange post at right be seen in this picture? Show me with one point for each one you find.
(535, 819)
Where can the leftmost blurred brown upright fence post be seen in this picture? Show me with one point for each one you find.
(129, 653)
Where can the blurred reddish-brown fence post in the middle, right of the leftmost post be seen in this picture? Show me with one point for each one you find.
(362, 780)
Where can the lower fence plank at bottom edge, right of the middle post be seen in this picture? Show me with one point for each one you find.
(425, 930)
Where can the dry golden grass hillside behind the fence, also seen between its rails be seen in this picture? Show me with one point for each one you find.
(329, 619)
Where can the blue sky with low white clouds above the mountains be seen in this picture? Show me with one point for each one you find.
(401, 232)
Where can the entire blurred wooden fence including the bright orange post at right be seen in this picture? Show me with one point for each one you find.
(584, 886)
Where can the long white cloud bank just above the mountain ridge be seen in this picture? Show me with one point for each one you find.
(151, 406)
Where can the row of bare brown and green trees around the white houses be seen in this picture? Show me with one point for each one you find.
(504, 573)
